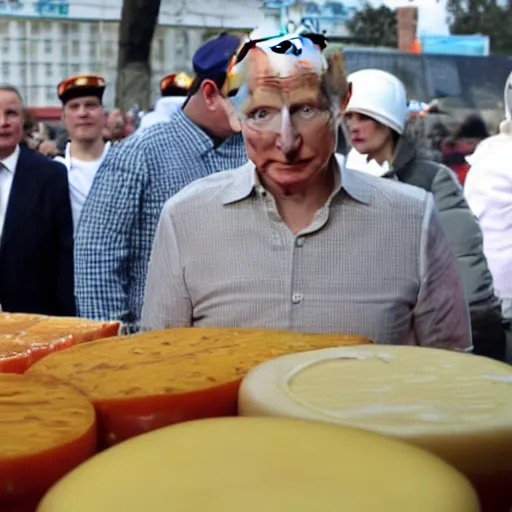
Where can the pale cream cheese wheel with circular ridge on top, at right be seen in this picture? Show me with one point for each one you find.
(456, 405)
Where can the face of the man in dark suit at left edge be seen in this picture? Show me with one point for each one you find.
(11, 122)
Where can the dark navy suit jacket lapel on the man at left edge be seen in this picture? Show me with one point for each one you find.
(23, 196)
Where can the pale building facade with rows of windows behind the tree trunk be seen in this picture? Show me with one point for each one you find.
(43, 42)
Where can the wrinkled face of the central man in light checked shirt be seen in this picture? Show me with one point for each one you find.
(288, 124)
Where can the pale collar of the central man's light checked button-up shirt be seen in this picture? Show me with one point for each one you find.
(246, 180)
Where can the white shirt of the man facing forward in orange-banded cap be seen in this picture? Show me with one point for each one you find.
(81, 175)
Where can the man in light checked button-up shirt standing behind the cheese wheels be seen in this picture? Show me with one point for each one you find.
(293, 240)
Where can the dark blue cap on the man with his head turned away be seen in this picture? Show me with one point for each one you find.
(214, 56)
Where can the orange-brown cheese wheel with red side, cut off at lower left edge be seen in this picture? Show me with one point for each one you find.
(46, 429)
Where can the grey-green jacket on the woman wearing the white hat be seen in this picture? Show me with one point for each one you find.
(466, 239)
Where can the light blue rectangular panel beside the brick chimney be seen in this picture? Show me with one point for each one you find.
(472, 45)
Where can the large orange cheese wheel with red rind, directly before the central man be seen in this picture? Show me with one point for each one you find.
(153, 379)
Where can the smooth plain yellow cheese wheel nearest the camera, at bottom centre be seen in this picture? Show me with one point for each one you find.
(261, 464)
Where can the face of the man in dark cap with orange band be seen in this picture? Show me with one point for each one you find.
(84, 118)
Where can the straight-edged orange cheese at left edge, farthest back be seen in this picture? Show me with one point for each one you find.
(24, 339)
